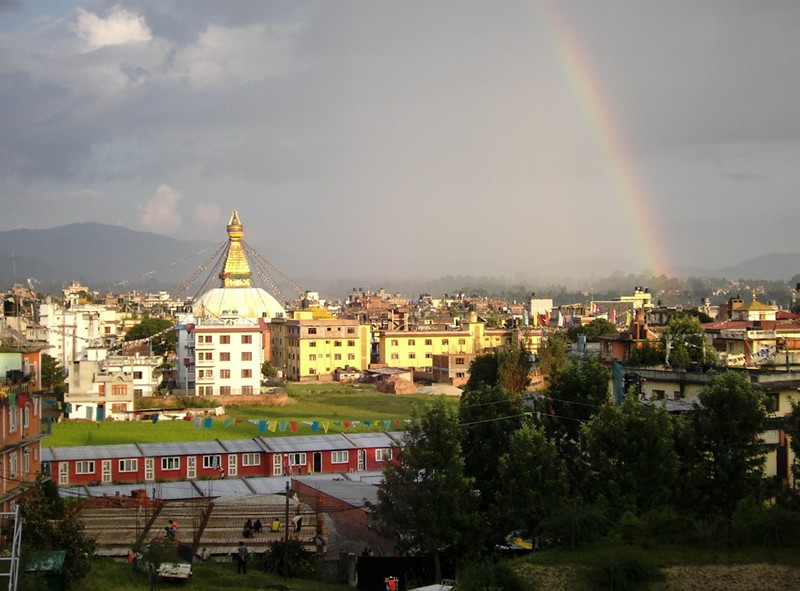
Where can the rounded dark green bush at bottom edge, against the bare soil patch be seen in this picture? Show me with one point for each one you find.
(622, 569)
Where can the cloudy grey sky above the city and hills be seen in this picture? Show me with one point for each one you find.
(417, 138)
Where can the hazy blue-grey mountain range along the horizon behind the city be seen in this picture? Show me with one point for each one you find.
(115, 258)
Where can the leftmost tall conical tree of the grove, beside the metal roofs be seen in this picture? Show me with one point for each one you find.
(427, 502)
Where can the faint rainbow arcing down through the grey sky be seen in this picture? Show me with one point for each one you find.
(608, 139)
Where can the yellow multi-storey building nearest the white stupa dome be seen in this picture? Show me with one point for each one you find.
(311, 344)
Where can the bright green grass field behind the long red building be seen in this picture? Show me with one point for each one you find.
(335, 408)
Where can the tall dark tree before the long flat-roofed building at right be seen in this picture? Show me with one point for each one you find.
(726, 423)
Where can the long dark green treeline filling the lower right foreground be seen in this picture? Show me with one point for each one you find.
(570, 467)
